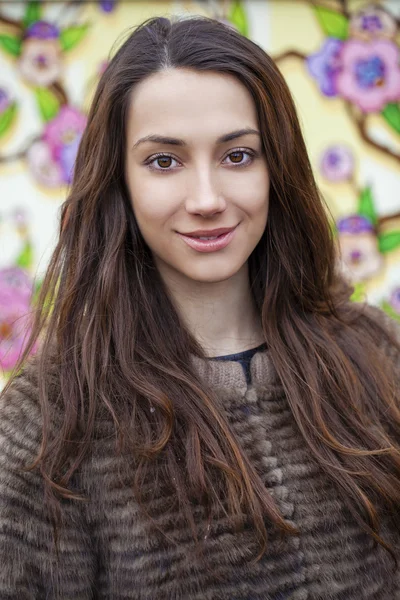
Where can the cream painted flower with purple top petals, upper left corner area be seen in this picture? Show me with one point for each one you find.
(41, 58)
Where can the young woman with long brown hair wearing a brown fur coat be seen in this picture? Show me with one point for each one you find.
(208, 416)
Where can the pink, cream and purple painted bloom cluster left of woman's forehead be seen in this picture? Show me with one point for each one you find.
(52, 158)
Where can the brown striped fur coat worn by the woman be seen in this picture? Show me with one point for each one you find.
(108, 552)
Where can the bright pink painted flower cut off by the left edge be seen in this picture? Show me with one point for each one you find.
(15, 315)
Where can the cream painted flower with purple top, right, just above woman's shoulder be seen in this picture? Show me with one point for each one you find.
(359, 253)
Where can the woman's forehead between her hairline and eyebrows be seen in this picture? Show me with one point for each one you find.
(185, 103)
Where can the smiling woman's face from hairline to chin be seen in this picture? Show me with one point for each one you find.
(195, 169)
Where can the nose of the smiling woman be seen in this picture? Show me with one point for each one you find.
(204, 196)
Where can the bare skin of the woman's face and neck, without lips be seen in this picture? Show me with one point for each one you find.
(202, 183)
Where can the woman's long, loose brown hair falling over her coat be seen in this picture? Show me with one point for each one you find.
(122, 347)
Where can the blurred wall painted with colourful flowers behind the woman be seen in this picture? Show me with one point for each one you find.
(341, 60)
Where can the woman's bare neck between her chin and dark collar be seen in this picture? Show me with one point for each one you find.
(221, 316)
